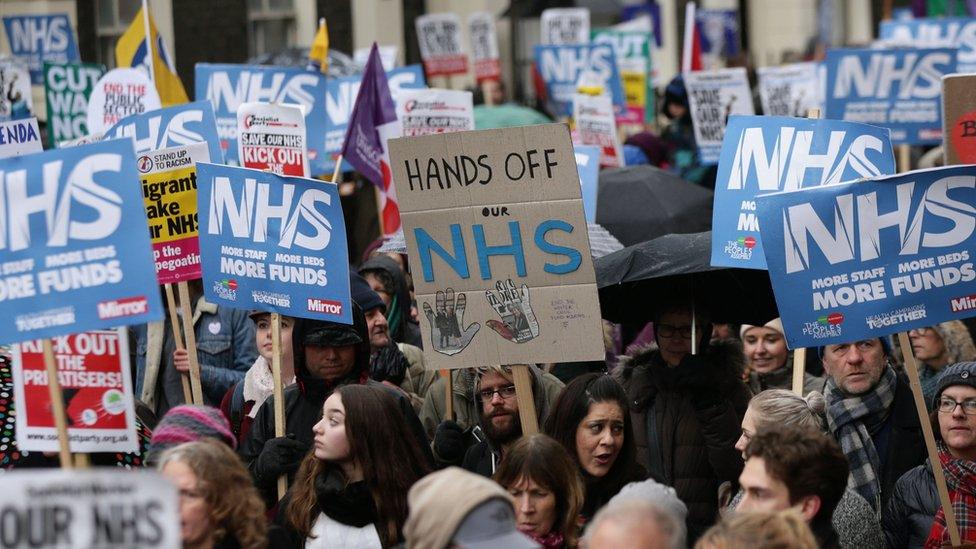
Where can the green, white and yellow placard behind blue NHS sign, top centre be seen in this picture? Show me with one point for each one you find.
(632, 50)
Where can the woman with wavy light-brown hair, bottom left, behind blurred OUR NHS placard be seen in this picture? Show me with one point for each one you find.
(219, 506)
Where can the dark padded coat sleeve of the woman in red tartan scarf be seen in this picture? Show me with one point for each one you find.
(911, 509)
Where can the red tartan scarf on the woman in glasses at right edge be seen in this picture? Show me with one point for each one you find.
(961, 479)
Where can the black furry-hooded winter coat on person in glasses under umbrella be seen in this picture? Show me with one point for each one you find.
(698, 408)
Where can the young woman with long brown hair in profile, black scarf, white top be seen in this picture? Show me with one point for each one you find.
(351, 490)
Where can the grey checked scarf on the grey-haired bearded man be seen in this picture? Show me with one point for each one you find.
(851, 420)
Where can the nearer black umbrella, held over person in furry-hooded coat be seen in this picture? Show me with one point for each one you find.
(633, 281)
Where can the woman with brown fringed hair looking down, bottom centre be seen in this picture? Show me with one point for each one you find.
(545, 482)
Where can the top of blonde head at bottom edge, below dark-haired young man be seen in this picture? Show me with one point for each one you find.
(781, 530)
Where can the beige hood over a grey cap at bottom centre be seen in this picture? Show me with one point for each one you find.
(441, 501)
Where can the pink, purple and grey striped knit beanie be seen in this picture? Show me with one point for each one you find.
(188, 423)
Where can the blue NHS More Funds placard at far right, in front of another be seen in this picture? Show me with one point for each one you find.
(870, 258)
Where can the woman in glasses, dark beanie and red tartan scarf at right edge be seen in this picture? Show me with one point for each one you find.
(914, 517)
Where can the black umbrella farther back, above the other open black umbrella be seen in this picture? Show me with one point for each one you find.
(639, 203)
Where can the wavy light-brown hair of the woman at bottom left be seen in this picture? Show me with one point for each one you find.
(235, 507)
